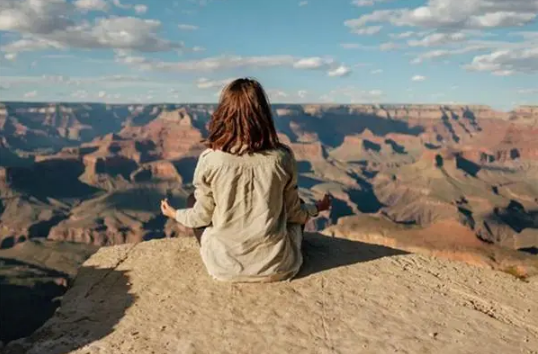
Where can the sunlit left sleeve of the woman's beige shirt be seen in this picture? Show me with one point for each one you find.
(201, 214)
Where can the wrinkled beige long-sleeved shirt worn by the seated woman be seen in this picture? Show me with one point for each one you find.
(251, 208)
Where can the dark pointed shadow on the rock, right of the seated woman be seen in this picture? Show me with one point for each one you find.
(322, 253)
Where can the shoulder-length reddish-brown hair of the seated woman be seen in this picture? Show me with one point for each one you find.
(242, 122)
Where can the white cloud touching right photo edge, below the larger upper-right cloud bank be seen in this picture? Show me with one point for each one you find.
(507, 62)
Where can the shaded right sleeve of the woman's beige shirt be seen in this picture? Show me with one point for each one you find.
(298, 213)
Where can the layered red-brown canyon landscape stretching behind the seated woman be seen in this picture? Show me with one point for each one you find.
(456, 182)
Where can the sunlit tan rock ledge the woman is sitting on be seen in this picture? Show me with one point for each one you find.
(351, 297)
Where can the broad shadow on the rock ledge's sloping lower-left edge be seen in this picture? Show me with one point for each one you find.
(90, 310)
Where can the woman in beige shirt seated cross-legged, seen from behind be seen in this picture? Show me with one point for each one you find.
(246, 210)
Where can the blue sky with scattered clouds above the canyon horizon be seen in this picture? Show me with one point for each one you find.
(341, 51)
